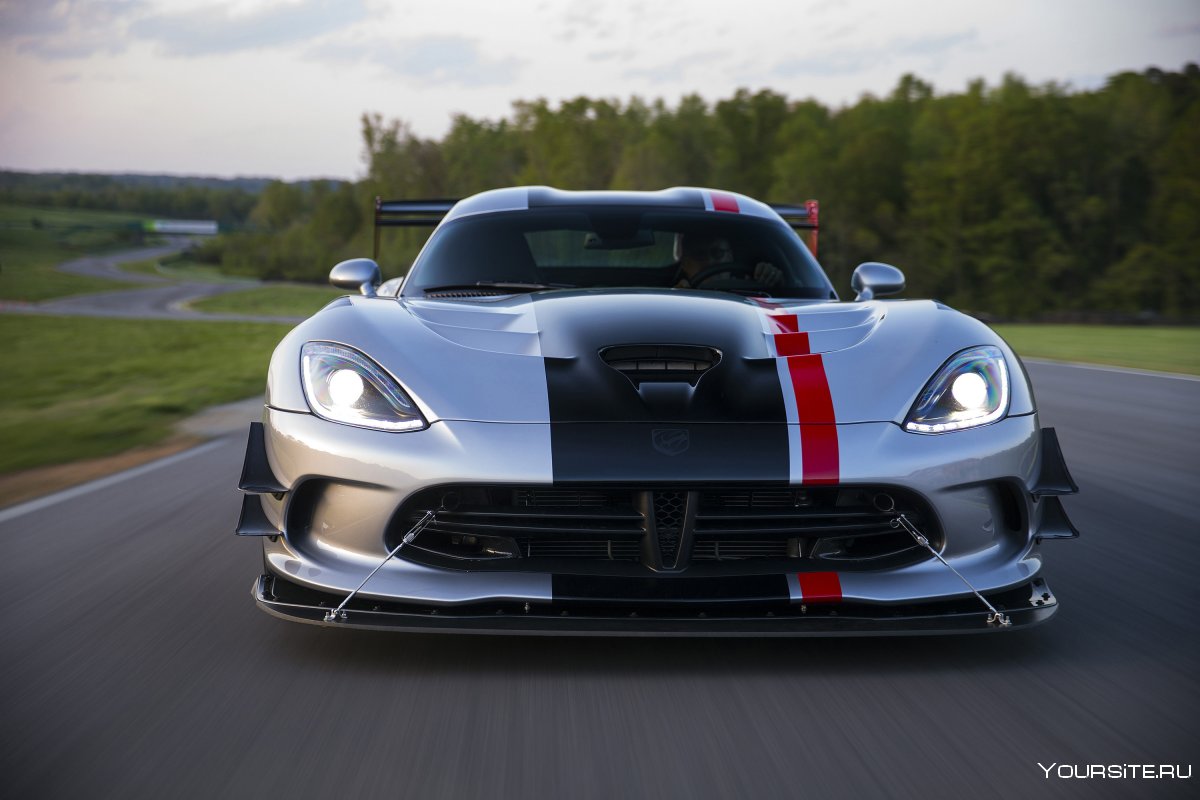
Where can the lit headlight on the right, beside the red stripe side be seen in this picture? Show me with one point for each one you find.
(971, 389)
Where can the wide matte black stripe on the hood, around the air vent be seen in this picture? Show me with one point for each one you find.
(729, 425)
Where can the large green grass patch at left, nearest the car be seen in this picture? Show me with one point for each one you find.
(79, 388)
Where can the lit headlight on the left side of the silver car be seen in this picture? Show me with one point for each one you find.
(344, 386)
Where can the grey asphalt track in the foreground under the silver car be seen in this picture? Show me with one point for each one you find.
(136, 666)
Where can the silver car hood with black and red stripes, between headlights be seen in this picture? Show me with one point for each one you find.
(608, 356)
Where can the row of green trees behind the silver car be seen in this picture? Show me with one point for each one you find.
(1015, 200)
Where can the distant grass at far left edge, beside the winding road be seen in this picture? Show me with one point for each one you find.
(29, 255)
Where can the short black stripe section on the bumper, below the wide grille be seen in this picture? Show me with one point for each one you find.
(670, 590)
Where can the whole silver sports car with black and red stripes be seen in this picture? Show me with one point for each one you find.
(646, 413)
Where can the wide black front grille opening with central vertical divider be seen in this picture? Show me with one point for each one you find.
(673, 528)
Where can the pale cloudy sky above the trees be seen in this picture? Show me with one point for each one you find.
(277, 88)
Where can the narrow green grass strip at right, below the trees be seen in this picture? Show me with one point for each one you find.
(1167, 350)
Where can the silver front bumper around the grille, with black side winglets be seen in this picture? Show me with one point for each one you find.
(322, 536)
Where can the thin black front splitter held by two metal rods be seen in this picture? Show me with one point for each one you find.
(1027, 606)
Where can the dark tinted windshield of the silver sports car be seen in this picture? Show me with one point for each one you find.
(607, 248)
